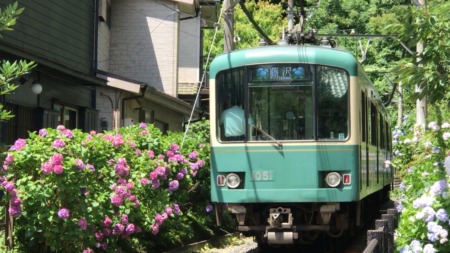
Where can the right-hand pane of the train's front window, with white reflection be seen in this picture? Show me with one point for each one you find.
(332, 103)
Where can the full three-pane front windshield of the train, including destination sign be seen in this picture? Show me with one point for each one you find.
(282, 102)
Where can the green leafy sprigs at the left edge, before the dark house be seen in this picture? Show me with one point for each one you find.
(10, 71)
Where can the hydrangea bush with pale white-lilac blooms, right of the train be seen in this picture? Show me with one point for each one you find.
(422, 198)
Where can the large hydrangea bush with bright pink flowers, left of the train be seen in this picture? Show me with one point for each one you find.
(81, 192)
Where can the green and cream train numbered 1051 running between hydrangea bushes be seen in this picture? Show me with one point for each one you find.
(299, 140)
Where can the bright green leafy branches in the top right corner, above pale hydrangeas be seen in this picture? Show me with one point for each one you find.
(428, 70)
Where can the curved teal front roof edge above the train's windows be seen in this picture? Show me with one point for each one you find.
(286, 54)
